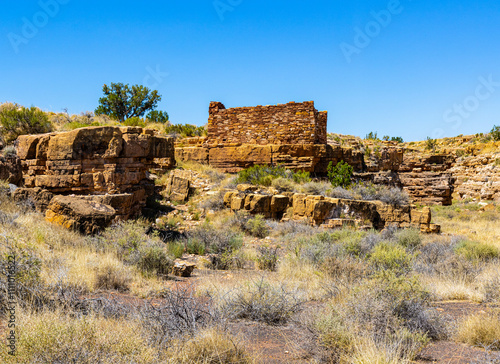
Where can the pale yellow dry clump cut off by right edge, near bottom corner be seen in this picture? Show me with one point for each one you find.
(481, 329)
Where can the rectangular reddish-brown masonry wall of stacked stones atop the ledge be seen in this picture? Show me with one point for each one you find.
(292, 123)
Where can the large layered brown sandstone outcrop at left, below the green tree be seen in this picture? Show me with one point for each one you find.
(107, 168)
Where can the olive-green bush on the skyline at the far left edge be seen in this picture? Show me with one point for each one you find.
(17, 120)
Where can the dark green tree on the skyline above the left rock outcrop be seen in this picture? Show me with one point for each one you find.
(122, 102)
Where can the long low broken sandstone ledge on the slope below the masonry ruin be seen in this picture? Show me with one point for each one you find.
(328, 212)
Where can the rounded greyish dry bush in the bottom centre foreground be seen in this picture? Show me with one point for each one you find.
(262, 301)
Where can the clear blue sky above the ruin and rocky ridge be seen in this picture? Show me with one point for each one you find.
(420, 68)
